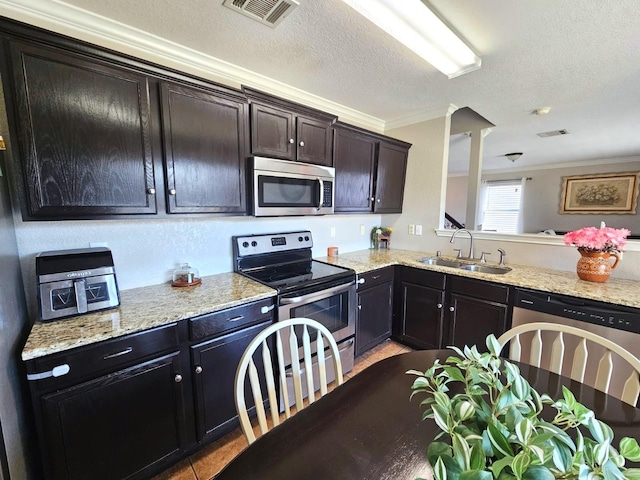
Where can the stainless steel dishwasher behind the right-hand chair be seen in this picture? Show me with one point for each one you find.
(617, 323)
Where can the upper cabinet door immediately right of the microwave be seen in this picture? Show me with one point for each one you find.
(353, 159)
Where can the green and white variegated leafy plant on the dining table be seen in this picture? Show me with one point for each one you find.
(495, 428)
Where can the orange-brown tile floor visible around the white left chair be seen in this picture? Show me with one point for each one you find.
(207, 462)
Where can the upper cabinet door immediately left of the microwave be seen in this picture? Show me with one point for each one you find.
(204, 140)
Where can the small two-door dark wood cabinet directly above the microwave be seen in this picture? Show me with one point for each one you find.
(287, 130)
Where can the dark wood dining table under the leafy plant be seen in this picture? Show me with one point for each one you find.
(368, 428)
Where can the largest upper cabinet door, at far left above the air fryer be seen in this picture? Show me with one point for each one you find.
(84, 133)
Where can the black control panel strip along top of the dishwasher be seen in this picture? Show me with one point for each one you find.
(591, 311)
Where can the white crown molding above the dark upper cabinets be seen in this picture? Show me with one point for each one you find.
(60, 17)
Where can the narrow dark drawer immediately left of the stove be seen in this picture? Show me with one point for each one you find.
(230, 319)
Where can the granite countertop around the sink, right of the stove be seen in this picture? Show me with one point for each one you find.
(616, 290)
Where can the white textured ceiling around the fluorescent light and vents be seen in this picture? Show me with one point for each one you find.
(582, 59)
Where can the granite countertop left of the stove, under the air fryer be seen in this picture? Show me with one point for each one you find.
(144, 308)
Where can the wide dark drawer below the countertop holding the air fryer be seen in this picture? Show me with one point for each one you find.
(85, 362)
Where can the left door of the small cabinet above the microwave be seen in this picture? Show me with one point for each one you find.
(272, 132)
